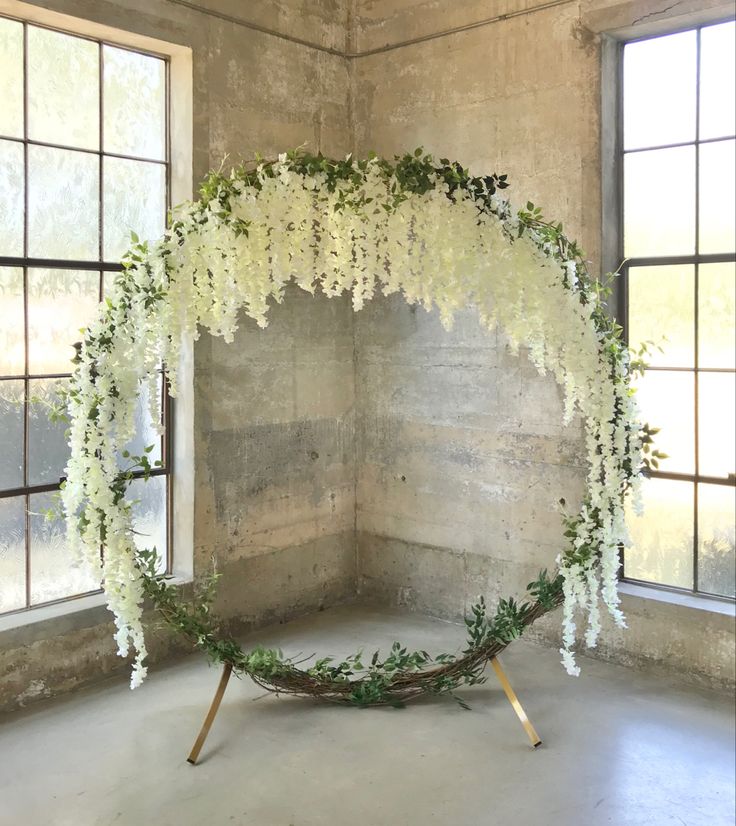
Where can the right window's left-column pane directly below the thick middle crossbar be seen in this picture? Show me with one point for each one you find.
(662, 310)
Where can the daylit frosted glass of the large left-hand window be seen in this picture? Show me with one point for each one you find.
(83, 161)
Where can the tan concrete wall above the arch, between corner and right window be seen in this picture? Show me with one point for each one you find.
(519, 97)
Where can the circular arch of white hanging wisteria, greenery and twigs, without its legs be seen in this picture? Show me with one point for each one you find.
(414, 225)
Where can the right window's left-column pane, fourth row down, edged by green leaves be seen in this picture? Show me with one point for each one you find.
(667, 401)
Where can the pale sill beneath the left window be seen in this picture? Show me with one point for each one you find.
(47, 621)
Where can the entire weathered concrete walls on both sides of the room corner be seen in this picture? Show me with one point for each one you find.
(435, 457)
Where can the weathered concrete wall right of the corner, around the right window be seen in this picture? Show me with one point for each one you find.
(461, 453)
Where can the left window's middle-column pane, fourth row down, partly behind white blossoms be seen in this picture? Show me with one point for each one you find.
(48, 451)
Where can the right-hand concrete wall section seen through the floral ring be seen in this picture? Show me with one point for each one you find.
(461, 459)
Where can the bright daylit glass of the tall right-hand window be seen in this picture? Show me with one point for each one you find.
(679, 242)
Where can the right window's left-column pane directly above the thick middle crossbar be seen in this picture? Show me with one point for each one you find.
(659, 202)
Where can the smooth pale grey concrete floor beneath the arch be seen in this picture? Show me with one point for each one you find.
(620, 748)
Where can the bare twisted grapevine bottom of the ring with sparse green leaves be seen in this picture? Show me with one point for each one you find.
(394, 680)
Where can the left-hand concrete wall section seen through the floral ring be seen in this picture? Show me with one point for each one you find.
(276, 463)
